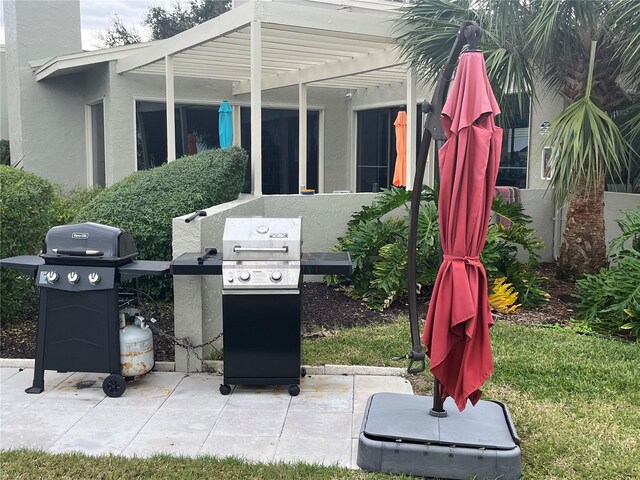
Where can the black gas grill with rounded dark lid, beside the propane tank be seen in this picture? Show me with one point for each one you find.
(79, 275)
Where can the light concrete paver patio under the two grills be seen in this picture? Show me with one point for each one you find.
(179, 414)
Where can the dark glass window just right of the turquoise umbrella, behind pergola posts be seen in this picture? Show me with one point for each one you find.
(280, 149)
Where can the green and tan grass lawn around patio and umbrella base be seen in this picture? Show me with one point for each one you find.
(575, 401)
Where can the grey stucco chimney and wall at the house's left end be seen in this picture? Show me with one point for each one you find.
(47, 121)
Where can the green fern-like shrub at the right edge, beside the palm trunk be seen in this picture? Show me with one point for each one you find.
(610, 300)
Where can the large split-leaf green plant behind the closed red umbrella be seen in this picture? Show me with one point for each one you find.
(377, 243)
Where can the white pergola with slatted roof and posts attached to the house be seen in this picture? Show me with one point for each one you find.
(262, 45)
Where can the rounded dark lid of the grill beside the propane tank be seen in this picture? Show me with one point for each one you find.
(88, 243)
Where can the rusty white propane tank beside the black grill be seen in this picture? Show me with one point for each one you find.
(136, 349)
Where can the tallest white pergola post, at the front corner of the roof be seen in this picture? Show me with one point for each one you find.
(256, 108)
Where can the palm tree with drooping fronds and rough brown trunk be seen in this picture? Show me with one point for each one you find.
(534, 43)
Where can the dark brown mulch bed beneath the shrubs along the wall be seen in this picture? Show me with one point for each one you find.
(324, 308)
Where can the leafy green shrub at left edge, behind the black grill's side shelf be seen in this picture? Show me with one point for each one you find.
(24, 220)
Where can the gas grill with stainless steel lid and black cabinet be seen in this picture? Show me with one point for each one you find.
(262, 265)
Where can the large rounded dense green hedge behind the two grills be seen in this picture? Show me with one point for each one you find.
(145, 202)
